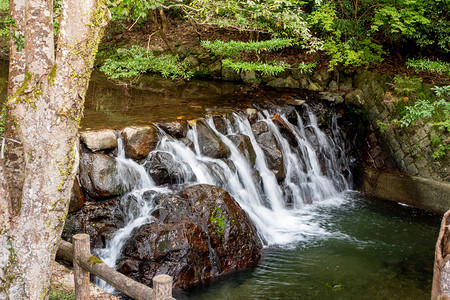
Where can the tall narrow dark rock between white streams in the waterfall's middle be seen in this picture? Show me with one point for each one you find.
(270, 147)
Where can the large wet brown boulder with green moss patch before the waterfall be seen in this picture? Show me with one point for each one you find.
(199, 234)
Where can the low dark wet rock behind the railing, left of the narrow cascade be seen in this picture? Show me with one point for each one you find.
(100, 220)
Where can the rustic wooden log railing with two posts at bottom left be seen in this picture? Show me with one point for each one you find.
(84, 263)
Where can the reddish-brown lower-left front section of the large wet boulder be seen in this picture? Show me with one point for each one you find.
(179, 250)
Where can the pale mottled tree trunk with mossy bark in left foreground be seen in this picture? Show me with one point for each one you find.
(46, 96)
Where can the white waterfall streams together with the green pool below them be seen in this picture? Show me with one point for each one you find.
(321, 239)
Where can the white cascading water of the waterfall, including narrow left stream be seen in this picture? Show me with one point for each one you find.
(283, 212)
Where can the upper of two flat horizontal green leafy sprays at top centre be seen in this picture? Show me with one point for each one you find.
(234, 48)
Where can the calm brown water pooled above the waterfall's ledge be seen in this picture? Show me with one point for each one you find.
(156, 99)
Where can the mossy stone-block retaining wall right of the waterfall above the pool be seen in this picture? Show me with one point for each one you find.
(408, 150)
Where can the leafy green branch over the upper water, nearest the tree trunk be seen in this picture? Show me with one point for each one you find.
(130, 63)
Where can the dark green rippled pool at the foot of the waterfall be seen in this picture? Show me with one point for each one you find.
(372, 249)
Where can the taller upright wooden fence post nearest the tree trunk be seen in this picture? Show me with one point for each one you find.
(81, 245)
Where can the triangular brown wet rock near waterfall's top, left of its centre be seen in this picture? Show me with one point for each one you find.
(209, 142)
